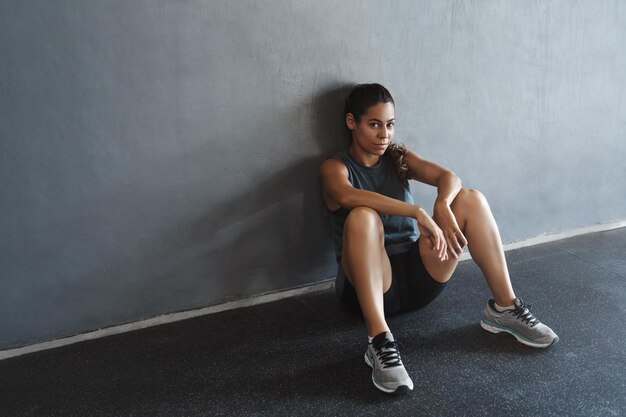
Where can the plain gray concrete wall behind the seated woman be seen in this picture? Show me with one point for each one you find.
(158, 156)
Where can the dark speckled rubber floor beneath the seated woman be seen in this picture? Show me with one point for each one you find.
(304, 355)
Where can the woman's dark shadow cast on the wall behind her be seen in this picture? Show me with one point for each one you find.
(273, 236)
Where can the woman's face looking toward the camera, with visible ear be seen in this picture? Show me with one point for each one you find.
(374, 132)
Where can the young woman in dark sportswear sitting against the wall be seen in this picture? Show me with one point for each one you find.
(384, 267)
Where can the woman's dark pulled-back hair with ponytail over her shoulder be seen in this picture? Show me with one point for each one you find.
(362, 97)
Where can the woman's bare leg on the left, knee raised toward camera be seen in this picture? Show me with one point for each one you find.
(366, 265)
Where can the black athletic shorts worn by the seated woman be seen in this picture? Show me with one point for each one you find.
(411, 288)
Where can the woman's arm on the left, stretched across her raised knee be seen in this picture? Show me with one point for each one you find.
(339, 192)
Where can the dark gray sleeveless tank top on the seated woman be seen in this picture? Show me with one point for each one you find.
(400, 232)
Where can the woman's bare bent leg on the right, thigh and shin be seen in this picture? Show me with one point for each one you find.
(475, 219)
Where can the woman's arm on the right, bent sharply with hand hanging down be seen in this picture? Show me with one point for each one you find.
(448, 186)
